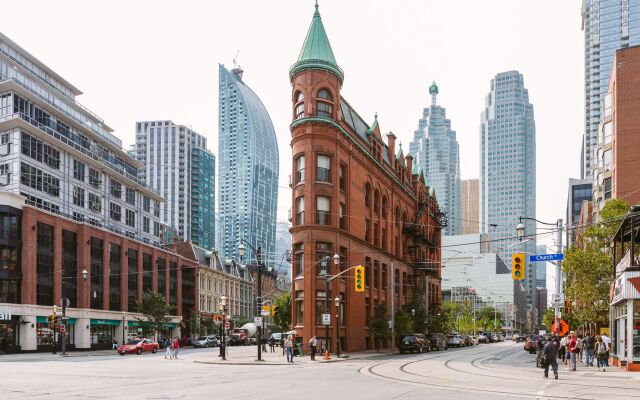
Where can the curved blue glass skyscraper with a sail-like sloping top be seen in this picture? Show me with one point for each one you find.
(248, 169)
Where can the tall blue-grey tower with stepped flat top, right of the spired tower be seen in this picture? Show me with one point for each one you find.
(508, 171)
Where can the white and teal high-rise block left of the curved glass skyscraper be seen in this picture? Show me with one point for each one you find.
(178, 165)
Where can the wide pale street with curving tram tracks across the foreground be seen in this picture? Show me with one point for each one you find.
(487, 371)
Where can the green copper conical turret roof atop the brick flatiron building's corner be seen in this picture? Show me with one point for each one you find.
(316, 51)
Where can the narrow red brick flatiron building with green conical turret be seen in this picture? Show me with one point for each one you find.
(353, 195)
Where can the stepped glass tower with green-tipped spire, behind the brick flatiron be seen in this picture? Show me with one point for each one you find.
(436, 152)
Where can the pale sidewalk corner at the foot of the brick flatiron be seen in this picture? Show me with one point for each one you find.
(276, 358)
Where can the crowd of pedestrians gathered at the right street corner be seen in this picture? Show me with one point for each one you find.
(572, 349)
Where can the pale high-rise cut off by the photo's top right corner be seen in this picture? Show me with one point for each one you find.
(608, 25)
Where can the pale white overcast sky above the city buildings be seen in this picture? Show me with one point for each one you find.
(147, 60)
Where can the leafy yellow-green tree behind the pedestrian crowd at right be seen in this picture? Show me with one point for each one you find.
(588, 269)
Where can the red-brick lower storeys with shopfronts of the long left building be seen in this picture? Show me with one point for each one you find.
(44, 259)
